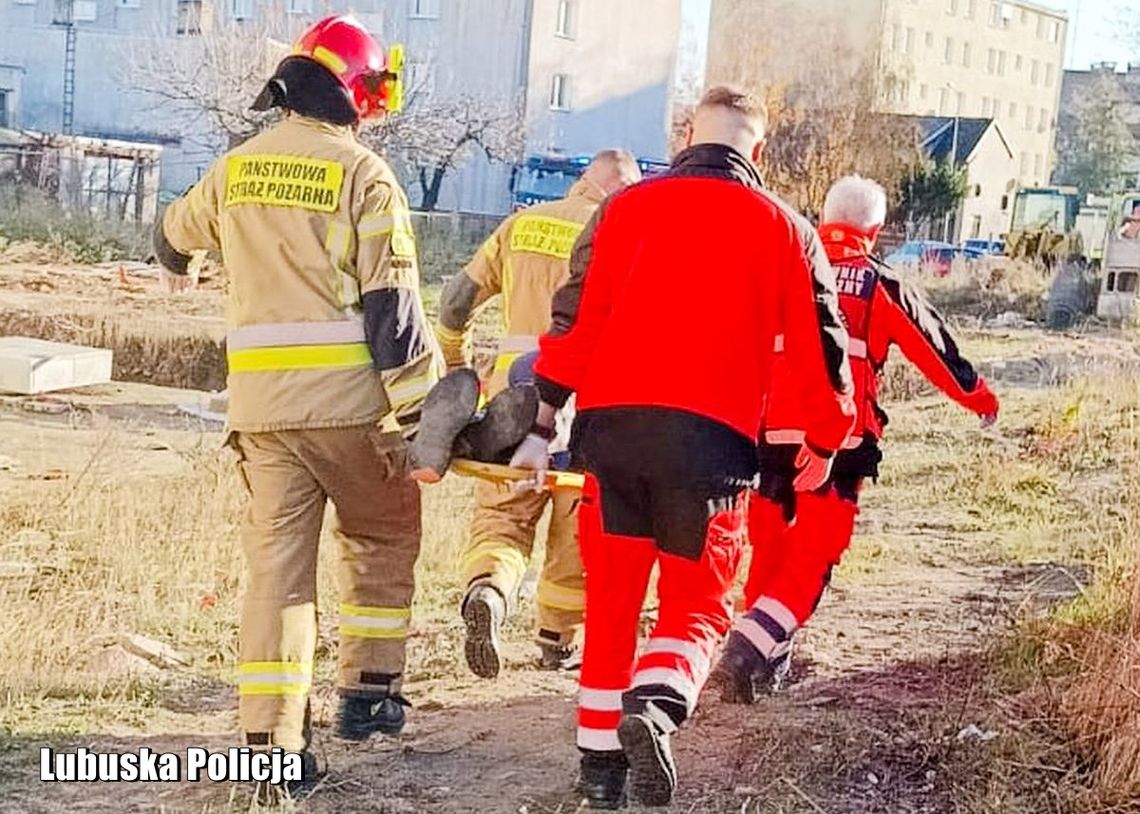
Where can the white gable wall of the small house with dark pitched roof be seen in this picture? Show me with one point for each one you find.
(991, 175)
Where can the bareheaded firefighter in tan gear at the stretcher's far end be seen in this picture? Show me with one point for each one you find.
(526, 261)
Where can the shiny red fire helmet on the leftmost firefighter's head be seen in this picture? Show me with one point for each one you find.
(344, 47)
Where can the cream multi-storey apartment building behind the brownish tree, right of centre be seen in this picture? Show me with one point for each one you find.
(999, 60)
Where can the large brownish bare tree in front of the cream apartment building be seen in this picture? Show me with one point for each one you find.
(825, 84)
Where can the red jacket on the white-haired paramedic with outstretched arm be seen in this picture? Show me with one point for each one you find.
(881, 310)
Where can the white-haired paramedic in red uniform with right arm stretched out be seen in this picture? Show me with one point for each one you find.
(792, 561)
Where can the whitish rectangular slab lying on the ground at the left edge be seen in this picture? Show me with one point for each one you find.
(30, 367)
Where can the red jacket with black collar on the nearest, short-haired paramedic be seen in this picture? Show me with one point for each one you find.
(678, 290)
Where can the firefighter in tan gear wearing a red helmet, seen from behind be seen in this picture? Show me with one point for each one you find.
(330, 357)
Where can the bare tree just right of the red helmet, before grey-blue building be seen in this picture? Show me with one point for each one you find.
(436, 137)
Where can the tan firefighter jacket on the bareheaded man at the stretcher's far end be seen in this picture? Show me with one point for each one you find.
(526, 261)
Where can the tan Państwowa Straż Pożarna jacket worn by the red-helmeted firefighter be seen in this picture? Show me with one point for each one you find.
(327, 327)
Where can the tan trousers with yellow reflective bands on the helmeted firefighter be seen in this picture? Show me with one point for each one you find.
(291, 476)
